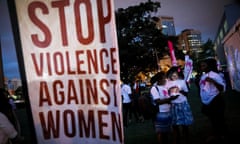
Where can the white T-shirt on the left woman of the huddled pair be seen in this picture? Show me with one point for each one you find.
(161, 93)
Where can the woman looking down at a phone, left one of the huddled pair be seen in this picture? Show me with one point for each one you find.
(161, 97)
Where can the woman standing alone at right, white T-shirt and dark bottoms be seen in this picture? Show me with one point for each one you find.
(211, 86)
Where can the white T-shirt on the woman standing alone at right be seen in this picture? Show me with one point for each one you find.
(208, 90)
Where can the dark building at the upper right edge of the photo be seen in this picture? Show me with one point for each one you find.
(229, 18)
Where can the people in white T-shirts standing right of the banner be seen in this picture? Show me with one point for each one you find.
(170, 92)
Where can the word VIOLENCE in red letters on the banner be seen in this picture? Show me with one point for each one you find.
(87, 62)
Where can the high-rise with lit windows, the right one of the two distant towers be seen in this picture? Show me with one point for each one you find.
(190, 42)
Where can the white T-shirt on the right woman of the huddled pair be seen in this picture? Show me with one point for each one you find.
(182, 86)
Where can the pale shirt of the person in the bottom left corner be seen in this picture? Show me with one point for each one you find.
(7, 130)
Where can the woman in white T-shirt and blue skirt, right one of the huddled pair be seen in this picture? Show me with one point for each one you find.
(181, 112)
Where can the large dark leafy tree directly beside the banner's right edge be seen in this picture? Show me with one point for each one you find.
(140, 41)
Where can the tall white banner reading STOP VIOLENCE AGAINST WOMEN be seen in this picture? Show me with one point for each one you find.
(71, 62)
